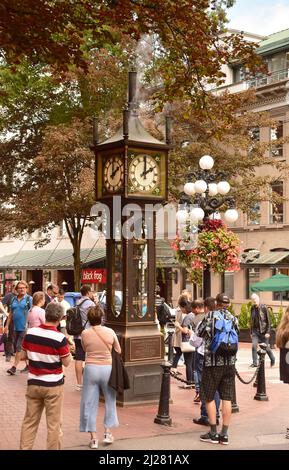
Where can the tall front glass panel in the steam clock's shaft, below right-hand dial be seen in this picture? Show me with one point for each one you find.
(140, 277)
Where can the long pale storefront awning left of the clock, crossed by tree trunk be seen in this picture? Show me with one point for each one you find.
(48, 259)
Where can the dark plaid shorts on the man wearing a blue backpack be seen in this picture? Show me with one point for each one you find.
(221, 378)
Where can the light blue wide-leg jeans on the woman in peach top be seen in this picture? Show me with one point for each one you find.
(95, 378)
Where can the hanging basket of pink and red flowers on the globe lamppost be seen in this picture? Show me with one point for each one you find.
(216, 248)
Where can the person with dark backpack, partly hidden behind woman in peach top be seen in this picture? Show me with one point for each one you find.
(84, 303)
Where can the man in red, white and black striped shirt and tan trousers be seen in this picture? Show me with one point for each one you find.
(47, 351)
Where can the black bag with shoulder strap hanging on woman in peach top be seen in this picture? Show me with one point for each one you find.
(119, 379)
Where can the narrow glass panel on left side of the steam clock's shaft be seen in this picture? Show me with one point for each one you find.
(117, 284)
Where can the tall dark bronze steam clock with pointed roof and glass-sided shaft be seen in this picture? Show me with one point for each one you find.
(131, 175)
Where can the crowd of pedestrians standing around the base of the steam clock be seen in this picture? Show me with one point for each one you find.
(35, 332)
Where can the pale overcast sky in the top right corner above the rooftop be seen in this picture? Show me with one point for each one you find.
(259, 16)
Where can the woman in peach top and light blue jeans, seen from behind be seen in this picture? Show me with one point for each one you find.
(98, 341)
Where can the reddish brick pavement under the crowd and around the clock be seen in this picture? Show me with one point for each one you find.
(257, 425)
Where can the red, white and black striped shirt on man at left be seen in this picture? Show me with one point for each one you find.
(45, 346)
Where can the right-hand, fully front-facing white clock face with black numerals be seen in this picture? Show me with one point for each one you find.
(144, 173)
